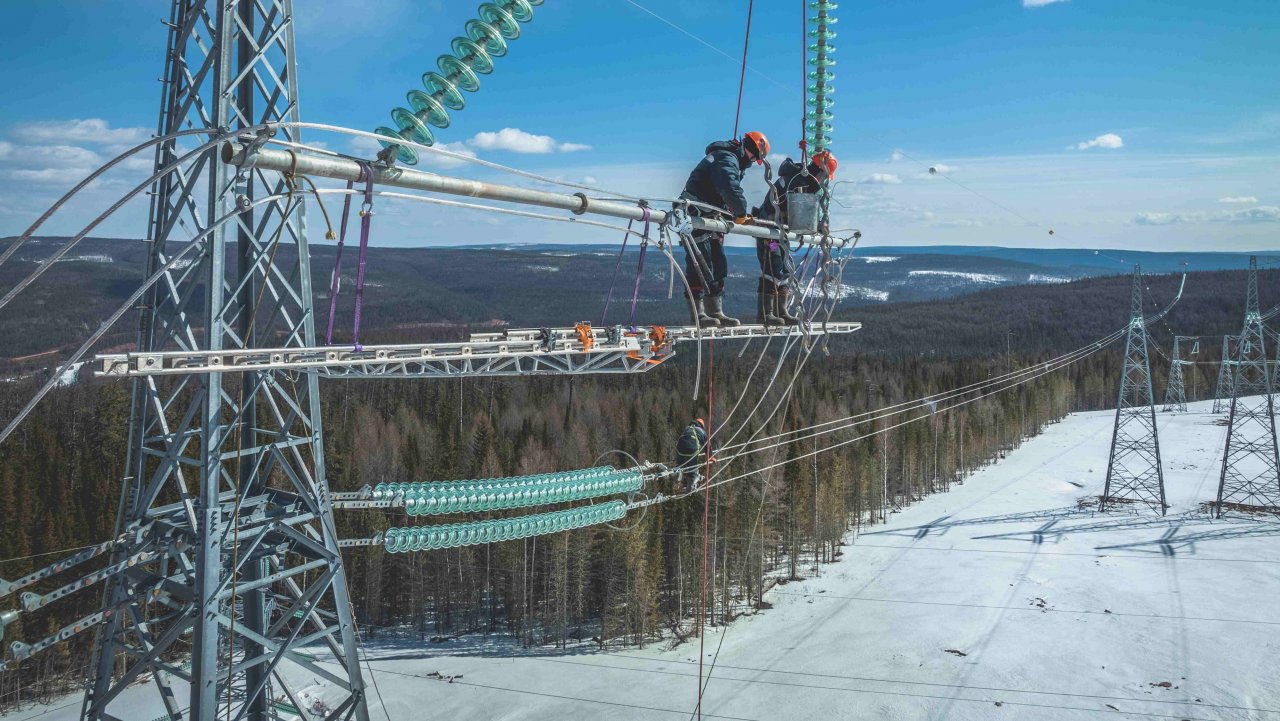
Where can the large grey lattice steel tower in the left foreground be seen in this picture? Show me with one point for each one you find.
(226, 500)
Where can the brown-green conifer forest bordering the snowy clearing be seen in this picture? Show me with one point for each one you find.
(638, 583)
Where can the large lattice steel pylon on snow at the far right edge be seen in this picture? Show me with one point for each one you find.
(1251, 462)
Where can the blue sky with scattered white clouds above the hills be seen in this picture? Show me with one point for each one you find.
(1141, 124)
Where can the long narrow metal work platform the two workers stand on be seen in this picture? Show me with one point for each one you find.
(540, 352)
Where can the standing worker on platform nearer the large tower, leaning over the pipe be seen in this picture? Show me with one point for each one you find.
(717, 181)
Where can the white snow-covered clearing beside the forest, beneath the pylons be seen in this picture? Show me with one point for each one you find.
(999, 600)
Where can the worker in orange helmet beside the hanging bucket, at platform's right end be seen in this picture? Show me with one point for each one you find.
(775, 255)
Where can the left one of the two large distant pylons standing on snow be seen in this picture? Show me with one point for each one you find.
(1135, 472)
